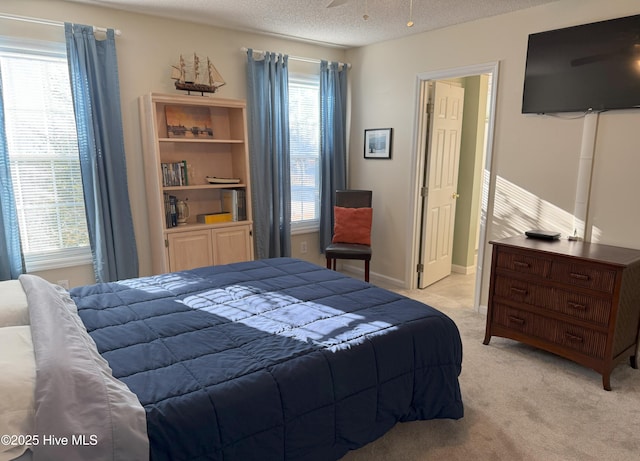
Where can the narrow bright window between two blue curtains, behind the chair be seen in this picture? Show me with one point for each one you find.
(304, 137)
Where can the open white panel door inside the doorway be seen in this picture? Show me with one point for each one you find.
(441, 182)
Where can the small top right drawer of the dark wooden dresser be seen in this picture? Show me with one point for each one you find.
(583, 275)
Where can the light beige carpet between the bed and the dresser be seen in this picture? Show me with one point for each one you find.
(520, 403)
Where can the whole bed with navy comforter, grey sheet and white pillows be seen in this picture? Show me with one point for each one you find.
(276, 359)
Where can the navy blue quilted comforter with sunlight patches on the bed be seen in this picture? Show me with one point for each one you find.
(274, 359)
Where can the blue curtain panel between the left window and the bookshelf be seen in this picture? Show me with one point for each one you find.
(93, 71)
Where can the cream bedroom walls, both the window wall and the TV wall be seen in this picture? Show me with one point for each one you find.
(534, 158)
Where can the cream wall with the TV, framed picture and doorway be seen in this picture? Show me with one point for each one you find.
(535, 158)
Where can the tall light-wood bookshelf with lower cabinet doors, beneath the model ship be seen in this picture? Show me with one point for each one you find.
(186, 139)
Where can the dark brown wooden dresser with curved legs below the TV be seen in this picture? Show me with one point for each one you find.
(575, 299)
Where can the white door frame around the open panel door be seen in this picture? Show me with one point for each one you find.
(418, 160)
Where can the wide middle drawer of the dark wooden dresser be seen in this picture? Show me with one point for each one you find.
(577, 305)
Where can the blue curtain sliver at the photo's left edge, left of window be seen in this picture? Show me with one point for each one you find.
(11, 261)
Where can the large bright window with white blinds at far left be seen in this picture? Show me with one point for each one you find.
(43, 154)
